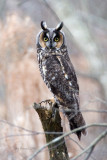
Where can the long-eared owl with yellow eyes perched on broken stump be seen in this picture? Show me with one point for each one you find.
(58, 73)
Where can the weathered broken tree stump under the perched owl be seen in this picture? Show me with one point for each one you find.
(57, 150)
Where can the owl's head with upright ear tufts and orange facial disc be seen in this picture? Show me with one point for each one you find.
(50, 38)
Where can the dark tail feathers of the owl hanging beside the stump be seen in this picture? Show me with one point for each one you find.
(76, 121)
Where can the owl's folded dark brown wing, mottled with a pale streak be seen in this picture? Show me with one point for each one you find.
(62, 78)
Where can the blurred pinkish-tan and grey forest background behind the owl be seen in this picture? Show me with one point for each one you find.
(85, 27)
